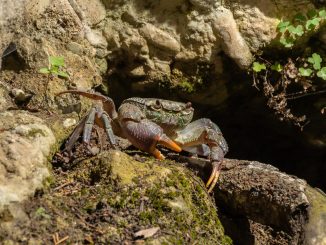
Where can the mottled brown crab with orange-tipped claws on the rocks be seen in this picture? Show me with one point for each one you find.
(146, 122)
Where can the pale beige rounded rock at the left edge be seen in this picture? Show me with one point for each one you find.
(25, 145)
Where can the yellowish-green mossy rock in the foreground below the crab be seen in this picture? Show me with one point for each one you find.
(109, 197)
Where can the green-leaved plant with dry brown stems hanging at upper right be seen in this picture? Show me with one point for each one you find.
(303, 74)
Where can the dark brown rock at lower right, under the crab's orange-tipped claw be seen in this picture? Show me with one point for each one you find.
(261, 204)
